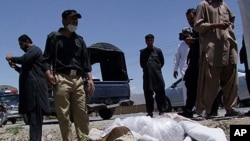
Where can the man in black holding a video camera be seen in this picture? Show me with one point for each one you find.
(191, 75)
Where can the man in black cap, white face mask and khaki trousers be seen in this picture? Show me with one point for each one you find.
(66, 53)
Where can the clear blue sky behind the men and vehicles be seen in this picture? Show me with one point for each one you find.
(123, 23)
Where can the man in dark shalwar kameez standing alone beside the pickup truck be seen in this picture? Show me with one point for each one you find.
(152, 61)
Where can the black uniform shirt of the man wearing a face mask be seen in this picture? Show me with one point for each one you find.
(66, 53)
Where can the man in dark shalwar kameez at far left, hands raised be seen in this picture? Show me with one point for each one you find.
(33, 88)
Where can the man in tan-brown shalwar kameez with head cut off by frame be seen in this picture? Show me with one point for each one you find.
(218, 56)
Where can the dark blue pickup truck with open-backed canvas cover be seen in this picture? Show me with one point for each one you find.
(113, 89)
